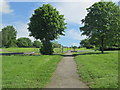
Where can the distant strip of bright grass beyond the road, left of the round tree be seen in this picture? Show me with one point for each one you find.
(22, 49)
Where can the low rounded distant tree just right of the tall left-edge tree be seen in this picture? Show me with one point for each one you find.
(24, 42)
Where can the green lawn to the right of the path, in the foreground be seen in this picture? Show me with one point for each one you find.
(98, 70)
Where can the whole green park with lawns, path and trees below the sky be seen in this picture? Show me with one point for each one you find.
(46, 63)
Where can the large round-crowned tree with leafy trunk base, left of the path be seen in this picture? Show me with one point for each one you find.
(46, 24)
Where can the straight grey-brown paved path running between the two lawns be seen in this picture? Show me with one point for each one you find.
(66, 75)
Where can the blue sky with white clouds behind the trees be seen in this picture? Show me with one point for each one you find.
(18, 12)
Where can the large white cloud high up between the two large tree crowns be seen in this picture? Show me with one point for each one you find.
(74, 11)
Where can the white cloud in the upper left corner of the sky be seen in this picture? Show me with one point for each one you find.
(5, 7)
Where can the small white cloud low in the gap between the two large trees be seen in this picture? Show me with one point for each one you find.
(73, 34)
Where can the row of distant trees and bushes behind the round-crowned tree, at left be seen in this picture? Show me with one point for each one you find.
(8, 38)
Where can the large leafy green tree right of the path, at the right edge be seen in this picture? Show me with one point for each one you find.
(102, 23)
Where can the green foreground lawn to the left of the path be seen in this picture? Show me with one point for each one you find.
(28, 71)
